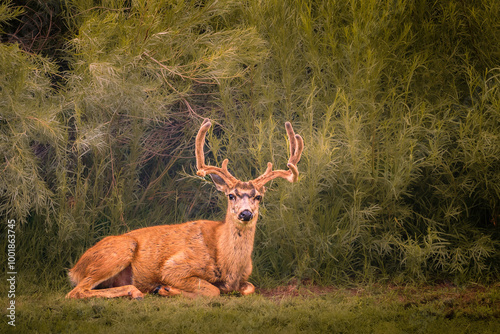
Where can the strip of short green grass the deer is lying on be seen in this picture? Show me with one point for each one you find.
(291, 309)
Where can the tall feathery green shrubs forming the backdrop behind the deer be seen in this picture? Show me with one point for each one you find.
(398, 103)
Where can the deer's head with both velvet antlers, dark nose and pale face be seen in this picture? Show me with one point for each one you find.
(244, 197)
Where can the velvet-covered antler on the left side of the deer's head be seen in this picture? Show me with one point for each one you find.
(200, 158)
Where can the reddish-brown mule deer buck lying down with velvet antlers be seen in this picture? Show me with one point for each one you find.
(195, 258)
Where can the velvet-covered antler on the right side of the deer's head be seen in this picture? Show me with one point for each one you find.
(292, 174)
